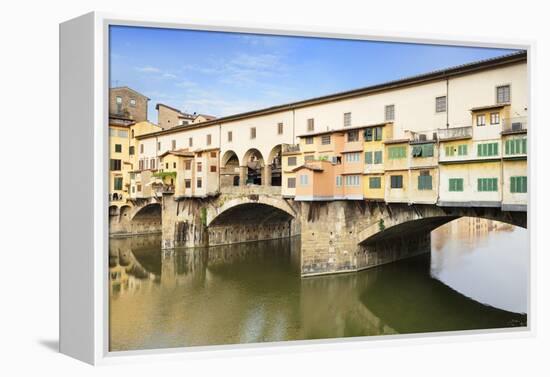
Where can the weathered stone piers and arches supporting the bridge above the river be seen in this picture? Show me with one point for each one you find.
(336, 236)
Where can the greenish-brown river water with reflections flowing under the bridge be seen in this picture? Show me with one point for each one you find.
(476, 277)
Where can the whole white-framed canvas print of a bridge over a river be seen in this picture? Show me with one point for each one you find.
(242, 187)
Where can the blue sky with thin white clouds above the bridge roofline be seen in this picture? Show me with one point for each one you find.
(227, 73)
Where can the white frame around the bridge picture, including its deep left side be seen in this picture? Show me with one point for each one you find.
(84, 46)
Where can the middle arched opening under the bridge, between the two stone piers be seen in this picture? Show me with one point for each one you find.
(250, 222)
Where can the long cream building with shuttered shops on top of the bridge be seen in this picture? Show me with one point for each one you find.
(436, 148)
